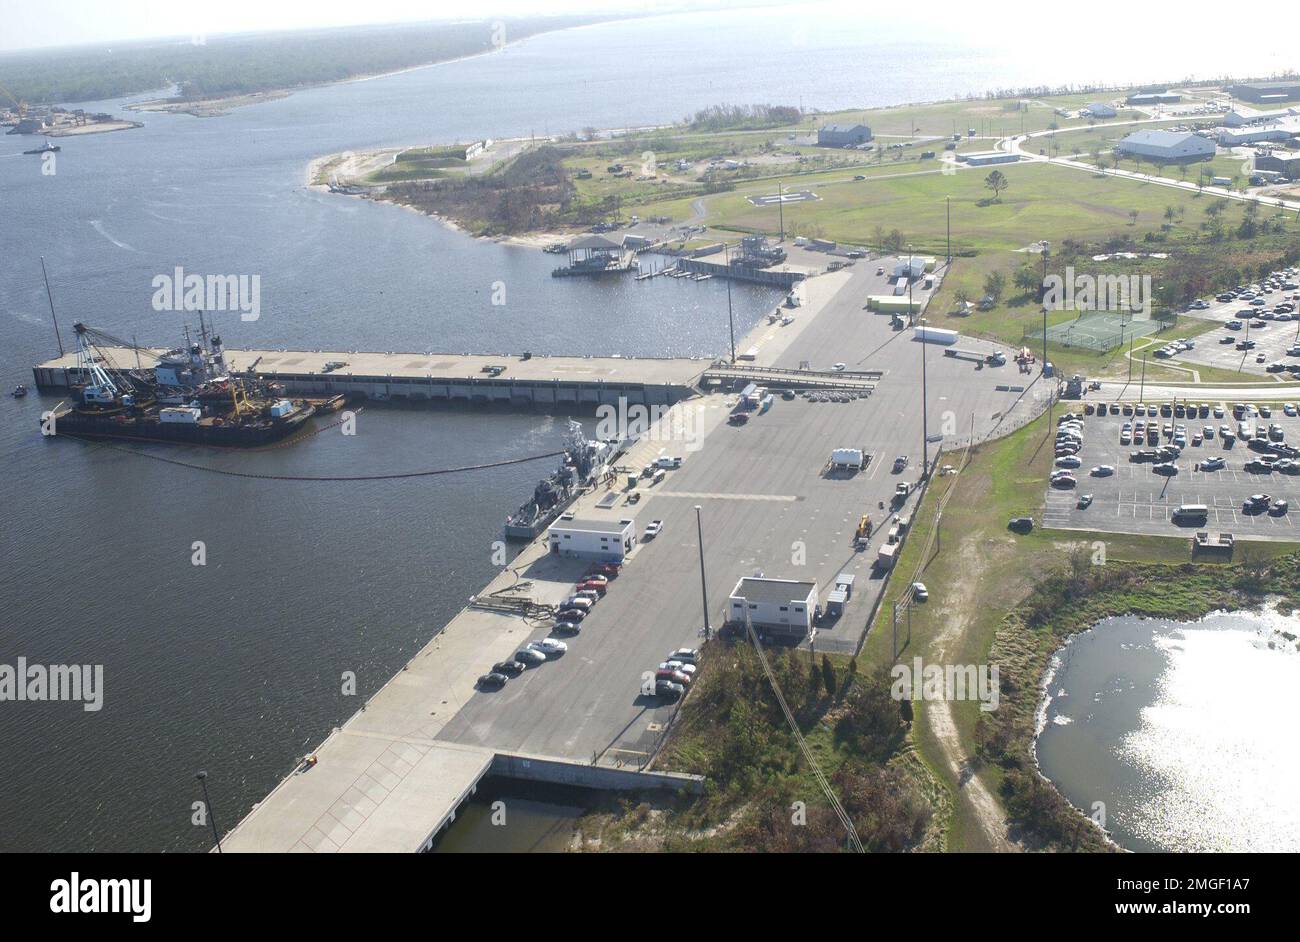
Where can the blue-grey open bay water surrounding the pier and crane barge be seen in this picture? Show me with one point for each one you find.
(236, 667)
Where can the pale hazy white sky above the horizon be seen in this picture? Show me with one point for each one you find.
(1073, 28)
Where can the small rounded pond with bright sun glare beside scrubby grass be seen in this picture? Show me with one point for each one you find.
(1185, 732)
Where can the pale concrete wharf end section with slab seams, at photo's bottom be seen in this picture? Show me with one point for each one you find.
(367, 793)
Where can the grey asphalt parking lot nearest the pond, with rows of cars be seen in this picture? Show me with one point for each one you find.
(1137, 500)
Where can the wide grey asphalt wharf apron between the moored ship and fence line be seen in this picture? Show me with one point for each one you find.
(766, 507)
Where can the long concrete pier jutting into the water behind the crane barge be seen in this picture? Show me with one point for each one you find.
(518, 380)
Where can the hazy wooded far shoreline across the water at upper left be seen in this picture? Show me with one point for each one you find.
(235, 66)
